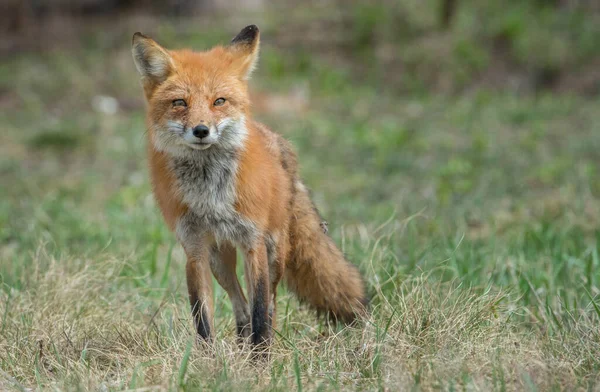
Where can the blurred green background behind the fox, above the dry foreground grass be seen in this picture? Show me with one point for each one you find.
(455, 137)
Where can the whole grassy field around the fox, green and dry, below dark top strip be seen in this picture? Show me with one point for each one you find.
(474, 215)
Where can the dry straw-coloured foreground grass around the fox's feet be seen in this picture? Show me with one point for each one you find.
(80, 323)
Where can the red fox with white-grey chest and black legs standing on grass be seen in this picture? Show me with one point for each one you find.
(224, 181)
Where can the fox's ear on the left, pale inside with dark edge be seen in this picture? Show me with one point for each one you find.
(151, 60)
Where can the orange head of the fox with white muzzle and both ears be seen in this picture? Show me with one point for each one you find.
(197, 100)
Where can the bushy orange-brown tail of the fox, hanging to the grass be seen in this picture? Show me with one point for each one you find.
(317, 271)
